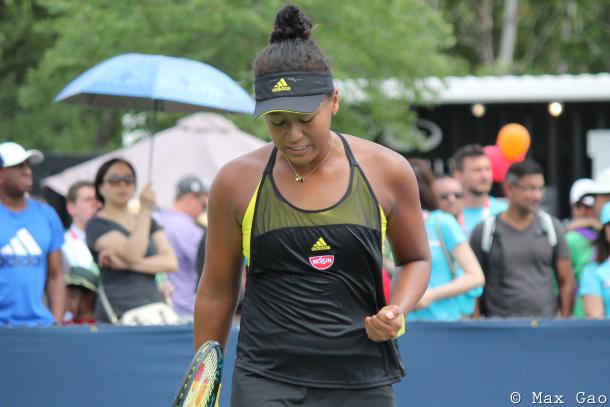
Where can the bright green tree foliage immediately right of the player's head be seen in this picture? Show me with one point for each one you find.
(371, 42)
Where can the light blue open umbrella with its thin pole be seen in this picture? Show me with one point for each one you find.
(157, 83)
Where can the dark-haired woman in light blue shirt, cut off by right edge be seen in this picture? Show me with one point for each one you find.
(595, 280)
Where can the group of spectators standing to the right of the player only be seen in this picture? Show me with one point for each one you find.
(534, 265)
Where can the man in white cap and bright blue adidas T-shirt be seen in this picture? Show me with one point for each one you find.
(31, 236)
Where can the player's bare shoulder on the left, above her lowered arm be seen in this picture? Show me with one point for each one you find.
(237, 180)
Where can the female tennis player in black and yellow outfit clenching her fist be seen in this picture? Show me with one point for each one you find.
(310, 213)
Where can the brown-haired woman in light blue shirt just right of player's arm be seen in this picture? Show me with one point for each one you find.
(455, 269)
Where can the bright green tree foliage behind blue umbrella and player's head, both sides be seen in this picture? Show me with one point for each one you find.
(366, 41)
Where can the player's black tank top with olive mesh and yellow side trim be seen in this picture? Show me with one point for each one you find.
(313, 276)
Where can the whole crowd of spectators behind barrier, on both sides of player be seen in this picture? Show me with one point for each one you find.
(491, 256)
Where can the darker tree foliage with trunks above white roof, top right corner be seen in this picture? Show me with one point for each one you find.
(569, 36)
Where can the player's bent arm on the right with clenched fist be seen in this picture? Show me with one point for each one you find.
(407, 235)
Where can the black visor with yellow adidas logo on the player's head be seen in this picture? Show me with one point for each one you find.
(292, 92)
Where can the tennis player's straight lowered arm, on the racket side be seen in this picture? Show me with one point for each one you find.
(218, 291)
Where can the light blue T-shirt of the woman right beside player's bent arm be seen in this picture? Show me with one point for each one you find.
(447, 309)
